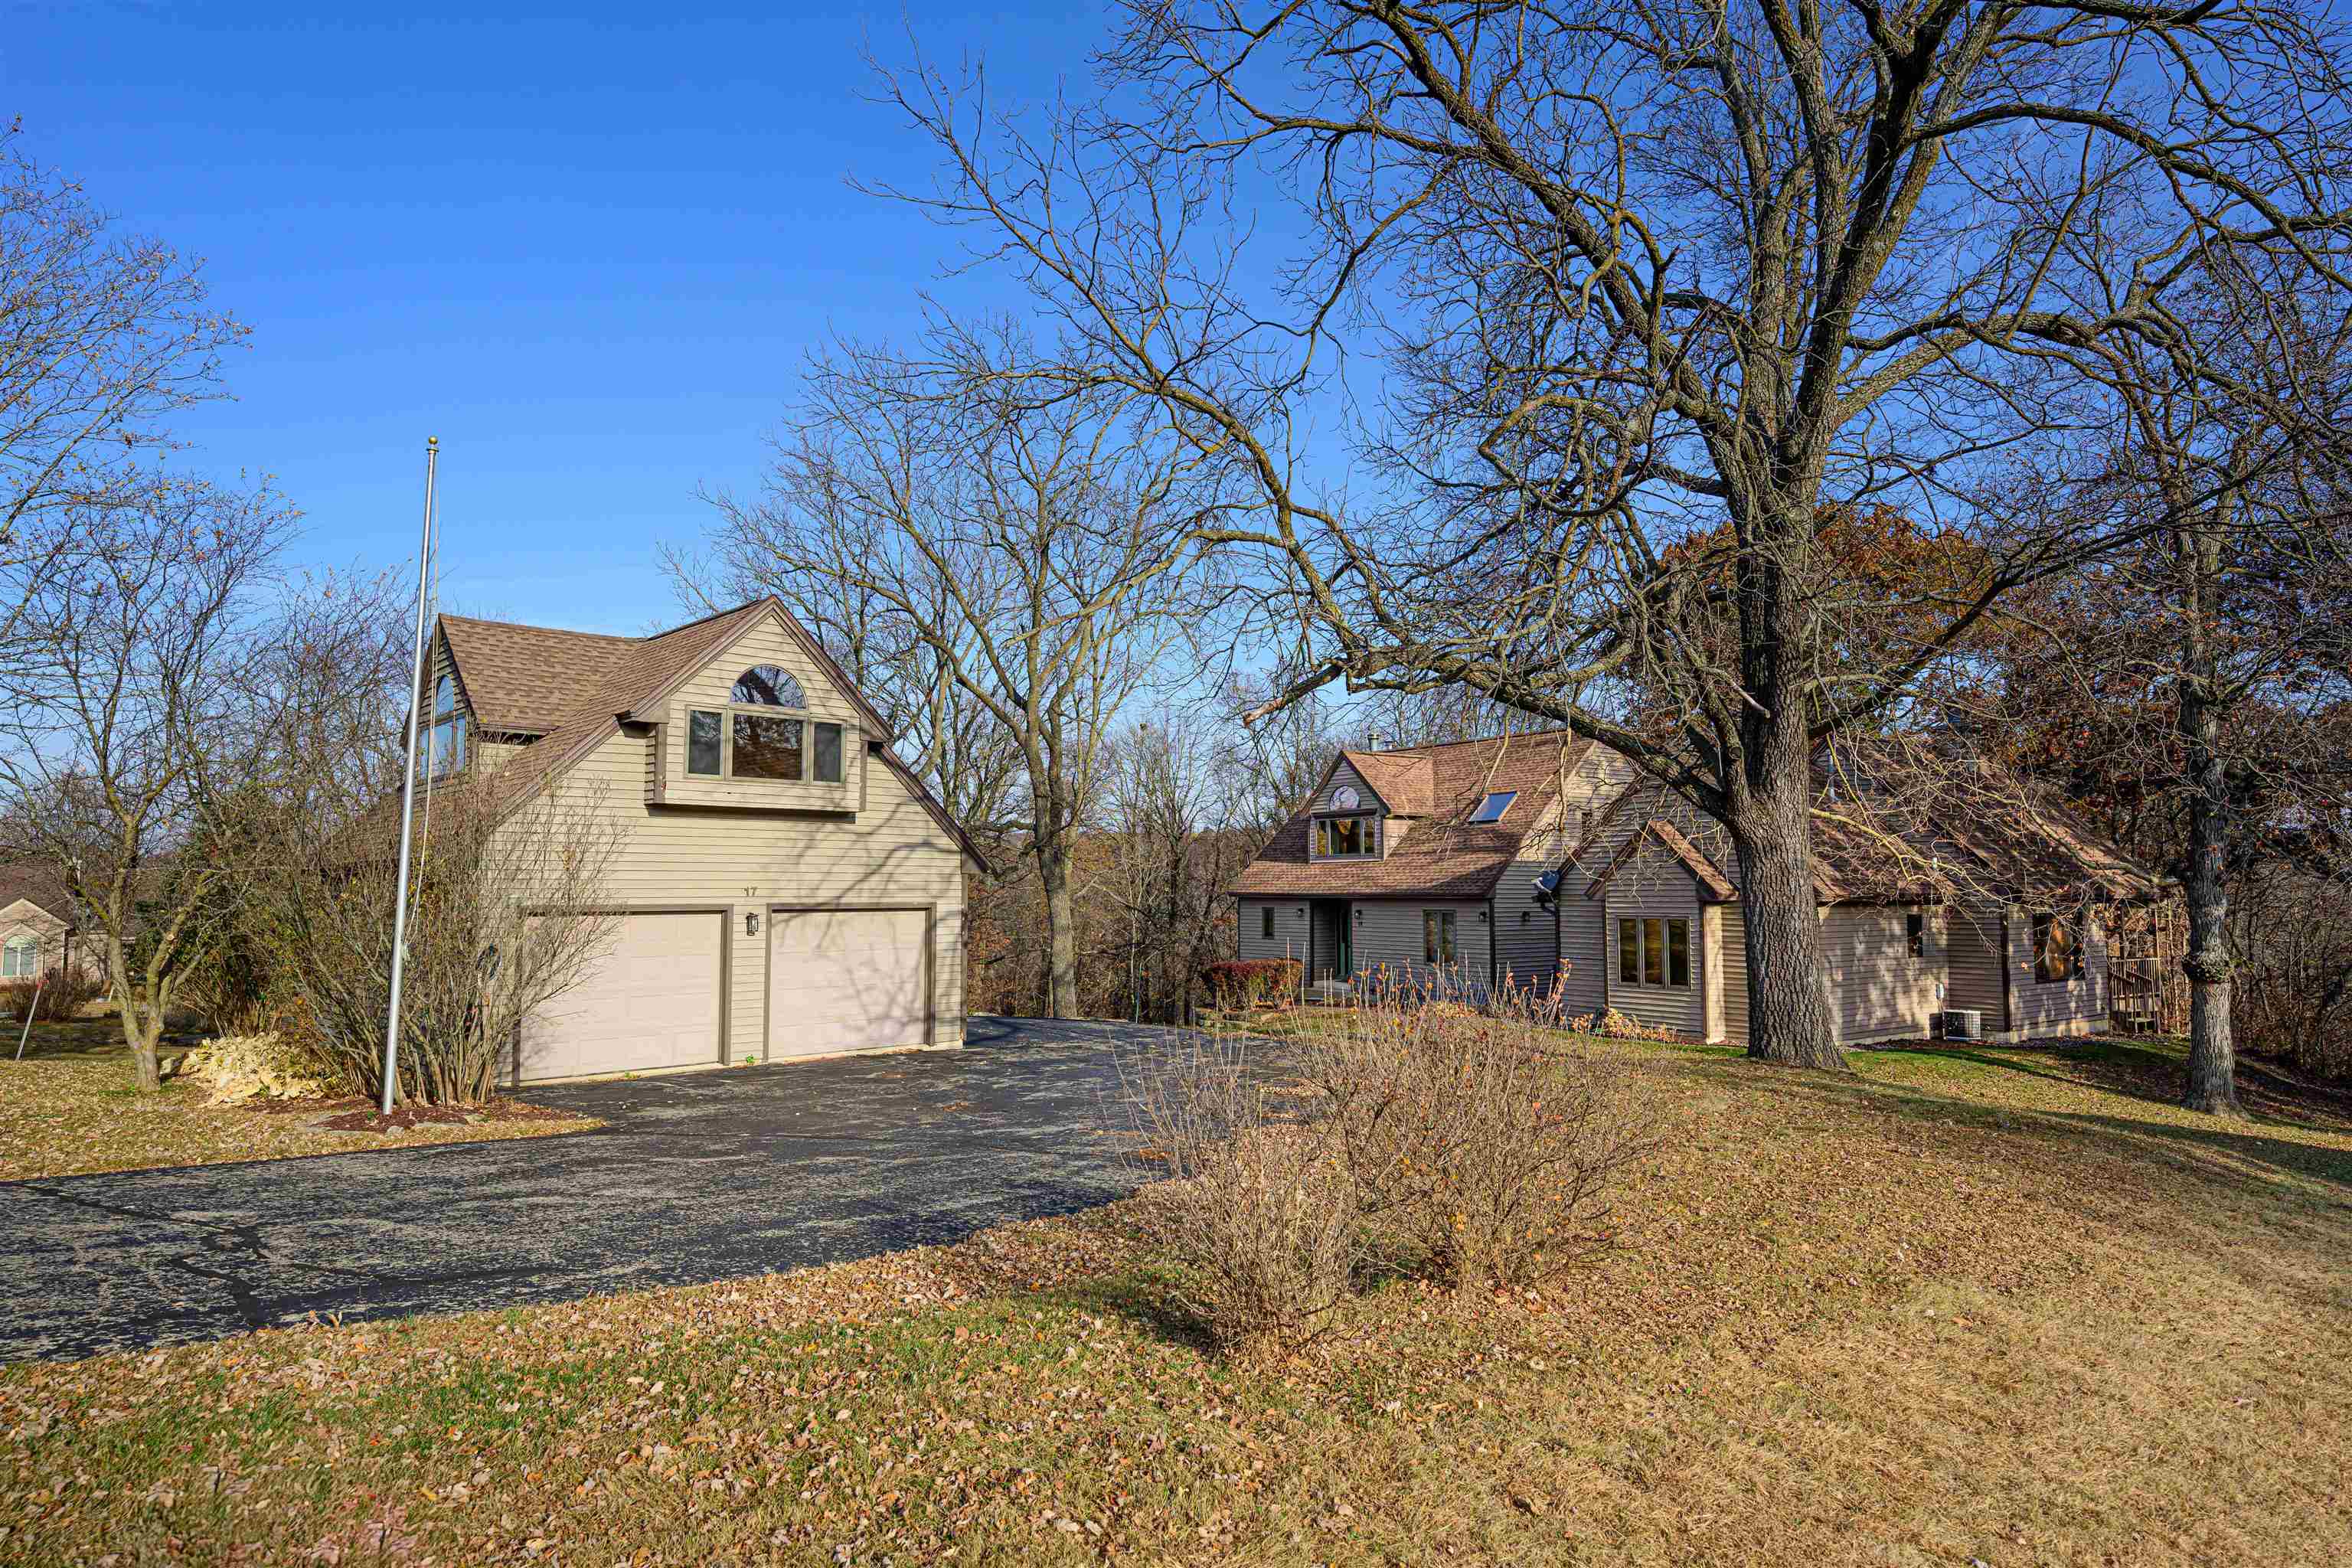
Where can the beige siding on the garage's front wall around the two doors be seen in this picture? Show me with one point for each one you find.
(893, 855)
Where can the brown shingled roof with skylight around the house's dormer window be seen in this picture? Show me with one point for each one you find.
(1445, 855)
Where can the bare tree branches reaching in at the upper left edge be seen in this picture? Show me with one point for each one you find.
(102, 335)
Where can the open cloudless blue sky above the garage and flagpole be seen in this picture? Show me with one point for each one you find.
(587, 250)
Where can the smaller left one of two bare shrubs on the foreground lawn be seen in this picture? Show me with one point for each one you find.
(1264, 1207)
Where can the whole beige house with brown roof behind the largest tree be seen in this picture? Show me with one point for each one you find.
(1626, 899)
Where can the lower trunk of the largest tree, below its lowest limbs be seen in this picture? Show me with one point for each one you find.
(1789, 979)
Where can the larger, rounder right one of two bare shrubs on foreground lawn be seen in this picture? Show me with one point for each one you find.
(1481, 1146)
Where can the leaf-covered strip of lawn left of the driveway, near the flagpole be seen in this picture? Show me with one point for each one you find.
(69, 1108)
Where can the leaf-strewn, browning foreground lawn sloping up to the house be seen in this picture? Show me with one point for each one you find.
(1991, 1306)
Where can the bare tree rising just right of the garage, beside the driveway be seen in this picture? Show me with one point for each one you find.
(1034, 554)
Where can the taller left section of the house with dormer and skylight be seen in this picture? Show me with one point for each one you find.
(1422, 864)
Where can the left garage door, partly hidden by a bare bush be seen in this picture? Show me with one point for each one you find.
(653, 1003)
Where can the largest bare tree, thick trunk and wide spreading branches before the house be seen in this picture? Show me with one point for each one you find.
(1657, 293)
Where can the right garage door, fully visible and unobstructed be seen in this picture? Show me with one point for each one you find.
(846, 981)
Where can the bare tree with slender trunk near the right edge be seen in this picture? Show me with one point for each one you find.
(2210, 657)
